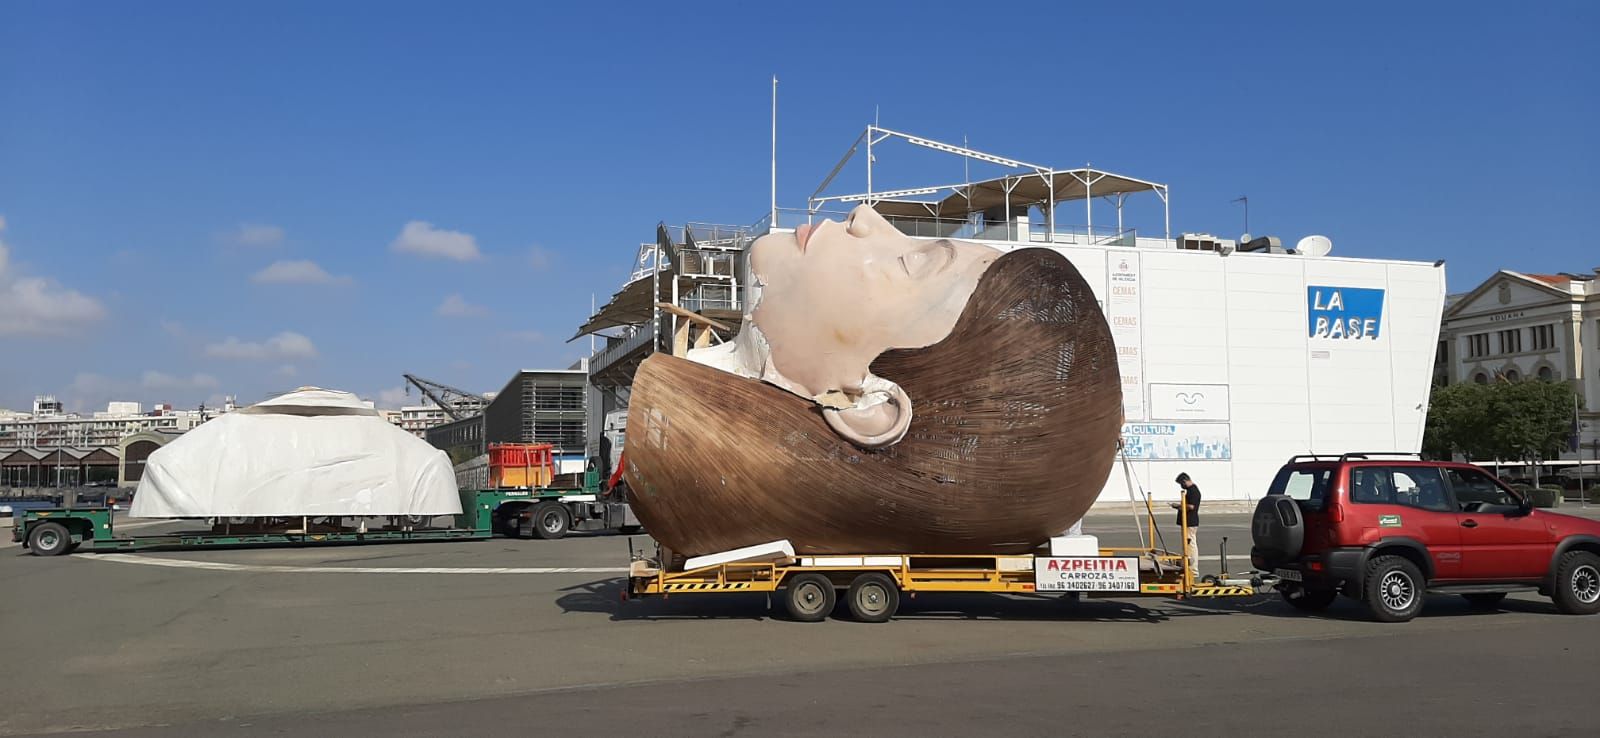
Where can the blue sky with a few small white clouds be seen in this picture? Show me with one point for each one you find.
(209, 199)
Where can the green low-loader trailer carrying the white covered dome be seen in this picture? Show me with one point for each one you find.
(63, 531)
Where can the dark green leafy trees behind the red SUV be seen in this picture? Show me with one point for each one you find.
(1503, 420)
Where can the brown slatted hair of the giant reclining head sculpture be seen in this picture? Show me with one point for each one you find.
(1017, 417)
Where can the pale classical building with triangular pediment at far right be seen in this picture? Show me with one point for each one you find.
(1529, 327)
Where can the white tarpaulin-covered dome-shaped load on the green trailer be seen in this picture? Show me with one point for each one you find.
(313, 452)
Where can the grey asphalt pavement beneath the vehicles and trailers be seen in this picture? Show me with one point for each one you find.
(402, 641)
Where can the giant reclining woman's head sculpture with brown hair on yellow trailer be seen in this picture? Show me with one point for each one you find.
(884, 395)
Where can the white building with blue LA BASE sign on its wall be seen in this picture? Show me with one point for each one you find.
(1234, 363)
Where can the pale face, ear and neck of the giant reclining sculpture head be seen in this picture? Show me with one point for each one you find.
(834, 297)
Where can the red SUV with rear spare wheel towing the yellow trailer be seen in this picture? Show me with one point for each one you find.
(1386, 531)
